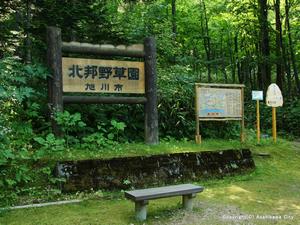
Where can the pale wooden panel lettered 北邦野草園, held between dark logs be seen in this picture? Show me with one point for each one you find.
(103, 76)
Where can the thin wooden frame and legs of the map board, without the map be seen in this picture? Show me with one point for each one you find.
(238, 118)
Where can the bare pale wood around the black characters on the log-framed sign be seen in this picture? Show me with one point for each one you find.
(78, 84)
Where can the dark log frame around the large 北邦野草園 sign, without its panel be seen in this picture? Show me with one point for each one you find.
(56, 97)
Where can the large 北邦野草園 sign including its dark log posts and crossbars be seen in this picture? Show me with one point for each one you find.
(90, 75)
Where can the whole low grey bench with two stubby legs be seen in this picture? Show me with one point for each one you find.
(141, 197)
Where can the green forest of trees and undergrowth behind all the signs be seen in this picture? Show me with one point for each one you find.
(252, 42)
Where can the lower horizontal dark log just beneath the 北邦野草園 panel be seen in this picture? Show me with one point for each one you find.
(103, 100)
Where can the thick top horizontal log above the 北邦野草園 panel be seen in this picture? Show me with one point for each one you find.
(136, 51)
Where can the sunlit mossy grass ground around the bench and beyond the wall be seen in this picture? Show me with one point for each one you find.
(273, 190)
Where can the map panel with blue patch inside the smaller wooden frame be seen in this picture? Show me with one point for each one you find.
(219, 102)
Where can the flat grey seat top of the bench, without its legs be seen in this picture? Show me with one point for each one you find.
(161, 192)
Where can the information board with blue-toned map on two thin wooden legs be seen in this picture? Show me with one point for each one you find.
(219, 102)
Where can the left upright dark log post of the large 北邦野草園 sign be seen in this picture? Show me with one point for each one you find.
(54, 56)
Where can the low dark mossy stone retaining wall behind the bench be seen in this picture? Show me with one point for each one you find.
(156, 170)
